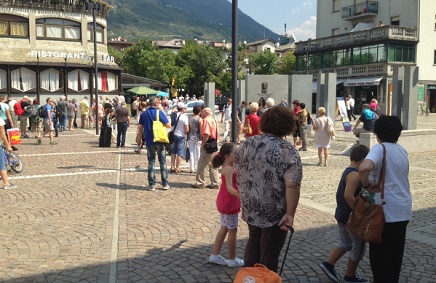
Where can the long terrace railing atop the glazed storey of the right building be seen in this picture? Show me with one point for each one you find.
(354, 38)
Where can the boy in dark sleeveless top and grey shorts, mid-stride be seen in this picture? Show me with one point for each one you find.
(348, 189)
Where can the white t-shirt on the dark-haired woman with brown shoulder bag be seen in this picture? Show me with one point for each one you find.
(398, 198)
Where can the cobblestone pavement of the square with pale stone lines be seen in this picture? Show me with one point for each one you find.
(80, 214)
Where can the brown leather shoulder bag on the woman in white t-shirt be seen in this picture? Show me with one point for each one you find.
(367, 219)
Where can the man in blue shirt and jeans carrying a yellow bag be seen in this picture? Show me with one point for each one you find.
(146, 125)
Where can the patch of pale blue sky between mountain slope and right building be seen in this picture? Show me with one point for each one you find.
(298, 15)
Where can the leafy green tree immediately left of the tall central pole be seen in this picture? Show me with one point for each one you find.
(206, 64)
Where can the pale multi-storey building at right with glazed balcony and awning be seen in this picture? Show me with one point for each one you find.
(362, 41)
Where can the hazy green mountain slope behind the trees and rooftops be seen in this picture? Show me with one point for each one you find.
(168, 19)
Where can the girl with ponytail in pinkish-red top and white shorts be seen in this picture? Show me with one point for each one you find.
(228, 205)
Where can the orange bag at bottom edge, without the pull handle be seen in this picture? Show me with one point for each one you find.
(258, 274)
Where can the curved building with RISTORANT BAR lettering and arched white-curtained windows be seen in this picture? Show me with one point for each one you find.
(47, 50)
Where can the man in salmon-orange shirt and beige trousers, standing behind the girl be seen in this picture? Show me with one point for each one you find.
(208, 128)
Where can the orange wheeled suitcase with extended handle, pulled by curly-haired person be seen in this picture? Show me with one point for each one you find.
(260, 273)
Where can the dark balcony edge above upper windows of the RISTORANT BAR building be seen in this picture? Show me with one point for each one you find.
(66, 6)
